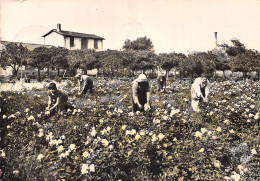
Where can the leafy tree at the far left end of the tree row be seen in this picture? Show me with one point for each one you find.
(14, 55)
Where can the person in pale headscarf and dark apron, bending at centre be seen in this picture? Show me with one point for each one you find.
(140, 93)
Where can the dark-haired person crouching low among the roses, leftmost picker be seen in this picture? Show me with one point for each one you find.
(58, 99)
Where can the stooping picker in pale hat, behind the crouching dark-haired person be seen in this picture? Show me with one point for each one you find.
(85, 84)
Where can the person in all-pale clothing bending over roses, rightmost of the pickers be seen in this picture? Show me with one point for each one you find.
(199, 92)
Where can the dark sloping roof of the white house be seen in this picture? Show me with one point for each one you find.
(74, 34)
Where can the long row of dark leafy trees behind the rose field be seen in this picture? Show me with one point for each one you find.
(136, 55)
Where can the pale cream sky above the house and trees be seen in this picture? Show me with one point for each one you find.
(179, 26)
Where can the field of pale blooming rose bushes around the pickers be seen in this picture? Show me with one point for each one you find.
(101, 139)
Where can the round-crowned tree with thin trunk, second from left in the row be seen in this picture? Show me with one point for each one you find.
(40, 58)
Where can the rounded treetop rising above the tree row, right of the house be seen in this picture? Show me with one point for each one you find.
(142, 43)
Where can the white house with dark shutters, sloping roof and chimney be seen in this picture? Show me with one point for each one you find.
(73, 40)
